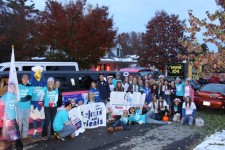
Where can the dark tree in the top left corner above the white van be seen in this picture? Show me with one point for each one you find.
(18, 28)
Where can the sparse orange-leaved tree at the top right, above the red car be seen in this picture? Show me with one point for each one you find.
(212, 32)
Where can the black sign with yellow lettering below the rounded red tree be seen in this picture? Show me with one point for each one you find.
(176, 70)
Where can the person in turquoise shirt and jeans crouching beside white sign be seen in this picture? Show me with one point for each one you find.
(61, 124)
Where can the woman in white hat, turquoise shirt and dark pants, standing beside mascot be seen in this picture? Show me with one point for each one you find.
(50, 96)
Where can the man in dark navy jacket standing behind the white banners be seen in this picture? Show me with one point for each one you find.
(103, 87)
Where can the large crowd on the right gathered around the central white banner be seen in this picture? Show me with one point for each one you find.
(165, 100)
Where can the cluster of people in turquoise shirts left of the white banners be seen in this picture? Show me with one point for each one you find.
(38, 103)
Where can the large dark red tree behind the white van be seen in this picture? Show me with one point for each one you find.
(76, 33)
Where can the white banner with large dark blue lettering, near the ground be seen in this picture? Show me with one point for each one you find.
(93, 115)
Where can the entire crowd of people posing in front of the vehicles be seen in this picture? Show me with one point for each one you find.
(165, 102)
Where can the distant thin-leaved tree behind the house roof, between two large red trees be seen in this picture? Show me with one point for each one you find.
(130, 42)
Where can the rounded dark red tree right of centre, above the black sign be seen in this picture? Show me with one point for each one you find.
(160, 43)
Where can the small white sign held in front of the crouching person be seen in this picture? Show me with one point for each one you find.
(76, 119)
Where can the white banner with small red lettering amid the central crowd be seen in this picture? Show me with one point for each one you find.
(120, 101)
